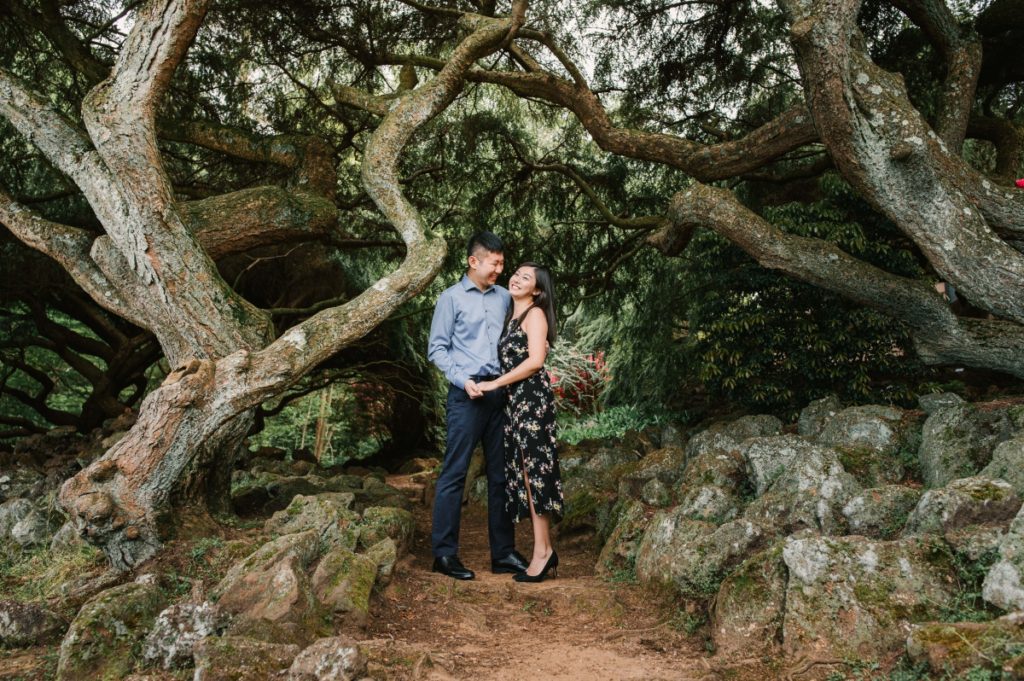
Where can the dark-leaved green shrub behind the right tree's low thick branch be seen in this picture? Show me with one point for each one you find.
(766, 342)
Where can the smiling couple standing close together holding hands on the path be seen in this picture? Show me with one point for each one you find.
(491, 344)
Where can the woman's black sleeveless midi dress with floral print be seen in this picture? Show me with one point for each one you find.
(530, 435)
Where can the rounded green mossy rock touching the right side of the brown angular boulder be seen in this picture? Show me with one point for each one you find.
(344, 582)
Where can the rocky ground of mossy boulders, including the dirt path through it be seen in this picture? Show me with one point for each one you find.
(861, 542)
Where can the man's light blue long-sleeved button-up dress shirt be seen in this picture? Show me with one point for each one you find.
(465, 331)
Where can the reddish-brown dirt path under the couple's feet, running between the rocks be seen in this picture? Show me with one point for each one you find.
(578, 626)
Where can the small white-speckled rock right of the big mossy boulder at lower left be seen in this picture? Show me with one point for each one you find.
(178, 630)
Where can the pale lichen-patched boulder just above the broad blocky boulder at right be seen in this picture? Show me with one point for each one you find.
(810, 493)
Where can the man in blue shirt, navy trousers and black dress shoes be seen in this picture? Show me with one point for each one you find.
(464, 334)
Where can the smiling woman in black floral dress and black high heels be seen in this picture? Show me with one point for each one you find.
(535, 486)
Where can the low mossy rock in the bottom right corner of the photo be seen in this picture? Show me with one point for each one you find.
(955, 649)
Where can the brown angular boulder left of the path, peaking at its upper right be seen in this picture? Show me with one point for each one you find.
(269, 593)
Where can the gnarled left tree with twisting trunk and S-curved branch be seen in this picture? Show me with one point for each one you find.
(153, 264)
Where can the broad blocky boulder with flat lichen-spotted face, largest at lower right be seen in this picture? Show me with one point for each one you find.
(852, 598)
